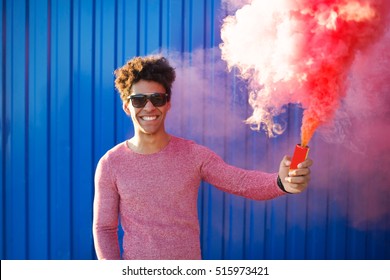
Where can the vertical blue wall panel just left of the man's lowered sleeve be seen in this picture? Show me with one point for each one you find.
(82, 131)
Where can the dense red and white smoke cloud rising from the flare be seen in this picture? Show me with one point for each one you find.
(299, 51)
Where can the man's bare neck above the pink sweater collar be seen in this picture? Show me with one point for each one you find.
(149, 144)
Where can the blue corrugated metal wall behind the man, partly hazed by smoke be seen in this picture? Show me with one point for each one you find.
(60, 113)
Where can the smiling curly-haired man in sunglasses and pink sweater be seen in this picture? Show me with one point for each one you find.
(150, 182)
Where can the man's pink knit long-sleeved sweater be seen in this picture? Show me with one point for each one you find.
(155, 197)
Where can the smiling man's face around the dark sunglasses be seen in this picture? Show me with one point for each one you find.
(148, 119)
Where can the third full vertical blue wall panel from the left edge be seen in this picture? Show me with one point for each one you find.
(61, 98)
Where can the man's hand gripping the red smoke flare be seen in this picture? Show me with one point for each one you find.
(297, 180)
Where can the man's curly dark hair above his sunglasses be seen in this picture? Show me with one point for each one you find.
(150, 68)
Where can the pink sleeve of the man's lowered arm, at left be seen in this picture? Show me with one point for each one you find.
(105, 213)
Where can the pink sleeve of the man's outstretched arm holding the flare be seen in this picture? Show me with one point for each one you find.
(251, 184)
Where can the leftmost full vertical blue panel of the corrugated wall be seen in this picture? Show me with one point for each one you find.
(16, 98)
